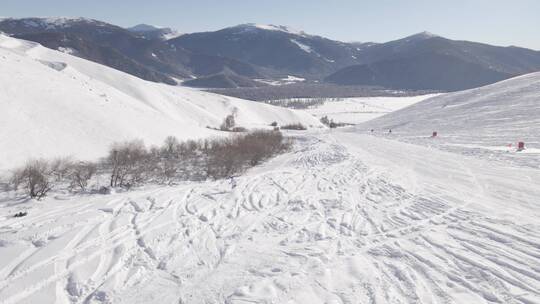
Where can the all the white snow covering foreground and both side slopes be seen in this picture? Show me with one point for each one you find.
(345, 217)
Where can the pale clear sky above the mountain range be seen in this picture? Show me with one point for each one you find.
(499, 22)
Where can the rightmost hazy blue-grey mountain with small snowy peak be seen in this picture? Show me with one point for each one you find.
(417, 62)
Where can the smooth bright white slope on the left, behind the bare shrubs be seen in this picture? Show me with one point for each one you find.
(54, 104)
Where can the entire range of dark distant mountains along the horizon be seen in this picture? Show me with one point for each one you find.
(240, 55)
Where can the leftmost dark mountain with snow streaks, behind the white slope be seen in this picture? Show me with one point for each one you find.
(134, 53)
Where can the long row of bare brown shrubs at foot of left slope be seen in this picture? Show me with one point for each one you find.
(132, 163)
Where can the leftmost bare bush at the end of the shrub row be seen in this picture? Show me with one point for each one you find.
(36, 177)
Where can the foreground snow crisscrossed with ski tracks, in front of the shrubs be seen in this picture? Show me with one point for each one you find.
(344, 218)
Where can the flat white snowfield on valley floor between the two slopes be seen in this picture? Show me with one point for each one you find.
(361, 109)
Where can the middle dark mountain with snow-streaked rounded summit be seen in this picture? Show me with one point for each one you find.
(276, 50)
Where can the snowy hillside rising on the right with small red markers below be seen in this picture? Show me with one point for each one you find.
(484, 121)
